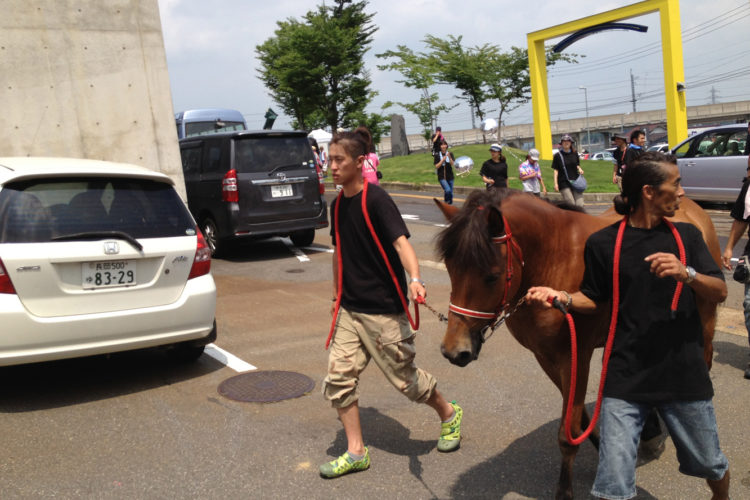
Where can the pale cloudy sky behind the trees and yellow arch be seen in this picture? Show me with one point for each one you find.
(211, 57)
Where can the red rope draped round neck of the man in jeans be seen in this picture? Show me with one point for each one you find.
(610, 336)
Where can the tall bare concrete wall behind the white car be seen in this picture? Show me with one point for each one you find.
(87, 78)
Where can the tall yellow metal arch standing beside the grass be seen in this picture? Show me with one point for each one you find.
(674, 72)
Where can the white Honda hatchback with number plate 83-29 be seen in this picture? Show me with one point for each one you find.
(98, 257)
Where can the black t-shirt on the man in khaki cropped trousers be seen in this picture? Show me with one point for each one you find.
(367, 284)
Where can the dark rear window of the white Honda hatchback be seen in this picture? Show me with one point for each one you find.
(36, 211)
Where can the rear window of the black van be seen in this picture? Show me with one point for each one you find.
(263, 154)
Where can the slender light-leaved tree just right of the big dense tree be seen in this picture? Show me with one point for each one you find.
(418, 73)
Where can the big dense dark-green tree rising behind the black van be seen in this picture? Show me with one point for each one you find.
(314, 68)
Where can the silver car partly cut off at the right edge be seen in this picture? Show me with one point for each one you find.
(713, 163)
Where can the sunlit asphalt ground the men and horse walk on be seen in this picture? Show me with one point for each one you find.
(136, 425)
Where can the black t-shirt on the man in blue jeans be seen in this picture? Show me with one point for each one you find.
(654, 358)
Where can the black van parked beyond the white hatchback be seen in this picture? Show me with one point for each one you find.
(252, 184)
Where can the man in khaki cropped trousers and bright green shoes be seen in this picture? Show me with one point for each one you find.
(370, 320)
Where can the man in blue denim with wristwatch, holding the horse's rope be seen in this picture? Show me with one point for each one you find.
(657, 354)
